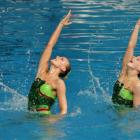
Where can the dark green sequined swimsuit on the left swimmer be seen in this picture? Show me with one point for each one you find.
(41, 97)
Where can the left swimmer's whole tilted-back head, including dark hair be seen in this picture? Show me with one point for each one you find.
(63, 64)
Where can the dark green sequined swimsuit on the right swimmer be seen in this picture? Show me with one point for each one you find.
(121, 95)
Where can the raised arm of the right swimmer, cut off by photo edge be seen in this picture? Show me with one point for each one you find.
(130, 50)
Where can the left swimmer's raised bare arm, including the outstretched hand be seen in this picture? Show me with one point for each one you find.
(43, 64)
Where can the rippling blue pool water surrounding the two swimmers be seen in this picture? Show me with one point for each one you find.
(94, 43)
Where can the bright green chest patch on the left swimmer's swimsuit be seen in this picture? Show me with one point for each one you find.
(47, 90)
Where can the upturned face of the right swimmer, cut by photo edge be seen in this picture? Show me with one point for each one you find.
(134, 63)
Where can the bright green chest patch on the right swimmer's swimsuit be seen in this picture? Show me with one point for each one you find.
(126, 94)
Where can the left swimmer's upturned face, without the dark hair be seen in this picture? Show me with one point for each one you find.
(60, 62)
